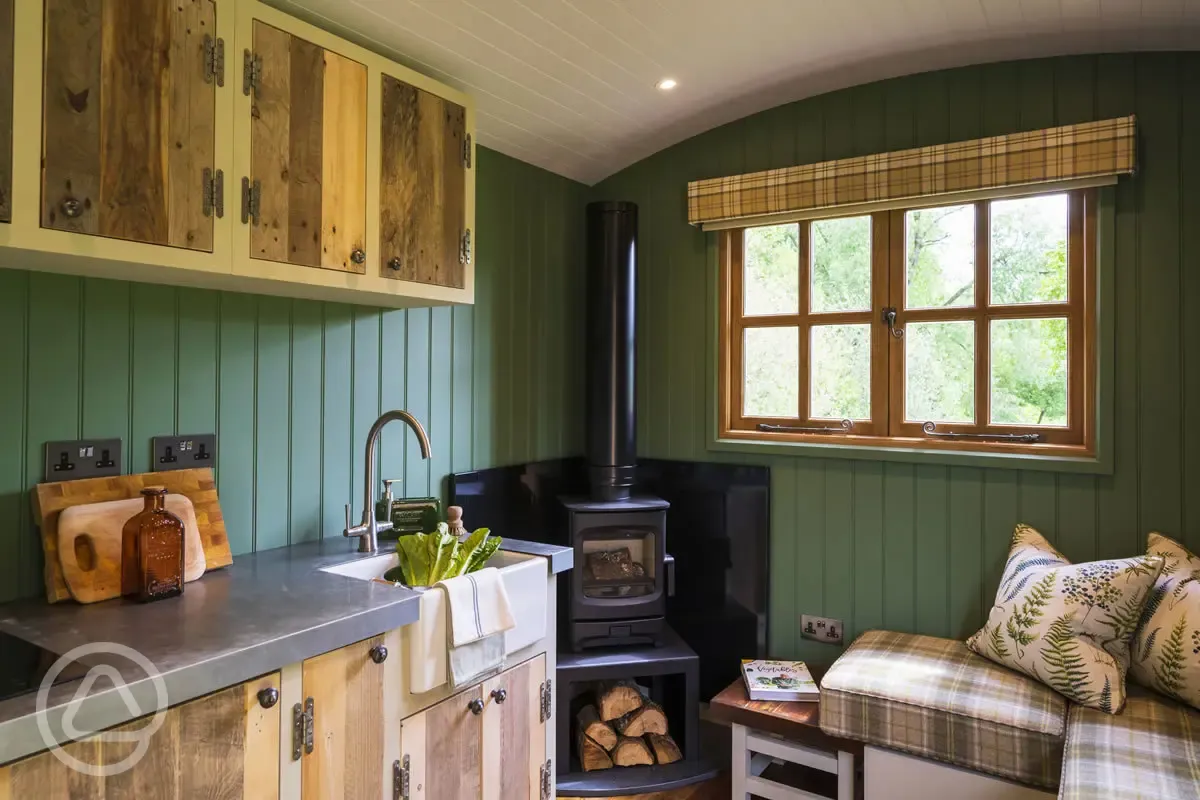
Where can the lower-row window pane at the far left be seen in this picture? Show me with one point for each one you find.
(772, 368)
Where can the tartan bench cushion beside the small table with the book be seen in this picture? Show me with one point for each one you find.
(934, 699)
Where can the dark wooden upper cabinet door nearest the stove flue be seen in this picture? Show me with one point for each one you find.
(423, 177)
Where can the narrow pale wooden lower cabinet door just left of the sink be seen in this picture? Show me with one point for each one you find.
(347, 691)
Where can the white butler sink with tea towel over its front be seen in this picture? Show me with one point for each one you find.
(526, 581)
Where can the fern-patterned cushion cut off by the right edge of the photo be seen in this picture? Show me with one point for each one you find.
(1167, 647)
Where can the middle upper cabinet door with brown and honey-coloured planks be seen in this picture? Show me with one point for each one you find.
(309, 141)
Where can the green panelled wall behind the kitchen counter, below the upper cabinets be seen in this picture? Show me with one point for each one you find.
(292, 387)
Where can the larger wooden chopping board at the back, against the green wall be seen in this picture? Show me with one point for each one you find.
(51, 500)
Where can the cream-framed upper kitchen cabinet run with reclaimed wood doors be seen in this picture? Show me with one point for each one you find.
(227, 145)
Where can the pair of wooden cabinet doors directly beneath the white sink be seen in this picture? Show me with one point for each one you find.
(485, 743)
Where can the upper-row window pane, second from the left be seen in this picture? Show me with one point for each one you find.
(842, 264)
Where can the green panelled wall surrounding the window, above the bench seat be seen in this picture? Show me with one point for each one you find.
(921, 548)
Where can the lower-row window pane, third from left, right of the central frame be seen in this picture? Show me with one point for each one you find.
(940, 372)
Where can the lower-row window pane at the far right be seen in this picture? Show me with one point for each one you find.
(1029, 372)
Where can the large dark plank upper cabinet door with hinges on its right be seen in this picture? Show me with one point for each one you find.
(130, 113)
